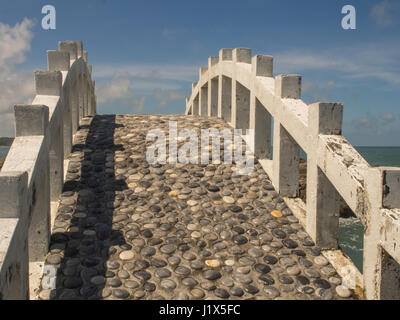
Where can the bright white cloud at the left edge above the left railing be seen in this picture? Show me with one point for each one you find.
(15, 87)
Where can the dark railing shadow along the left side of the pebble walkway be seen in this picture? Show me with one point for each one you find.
(89, 233)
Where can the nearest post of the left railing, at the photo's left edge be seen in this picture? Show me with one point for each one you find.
(14, 220)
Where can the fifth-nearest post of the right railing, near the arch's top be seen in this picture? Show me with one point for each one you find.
(240, 95)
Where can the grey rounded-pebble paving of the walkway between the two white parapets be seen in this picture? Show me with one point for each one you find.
(129, 230)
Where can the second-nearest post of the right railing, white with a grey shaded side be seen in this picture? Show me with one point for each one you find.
(323, 200)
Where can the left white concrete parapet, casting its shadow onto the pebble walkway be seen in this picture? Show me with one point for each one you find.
(32, 176)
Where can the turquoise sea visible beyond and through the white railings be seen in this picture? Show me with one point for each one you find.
(350, 230)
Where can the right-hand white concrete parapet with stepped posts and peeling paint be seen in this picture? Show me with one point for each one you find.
(242, 90)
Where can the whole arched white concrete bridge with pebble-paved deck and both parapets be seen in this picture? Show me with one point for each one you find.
(77, 194)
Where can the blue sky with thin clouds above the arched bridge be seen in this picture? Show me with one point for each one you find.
(146, 54)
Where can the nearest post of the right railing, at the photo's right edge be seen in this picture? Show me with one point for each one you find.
(381, 271)
